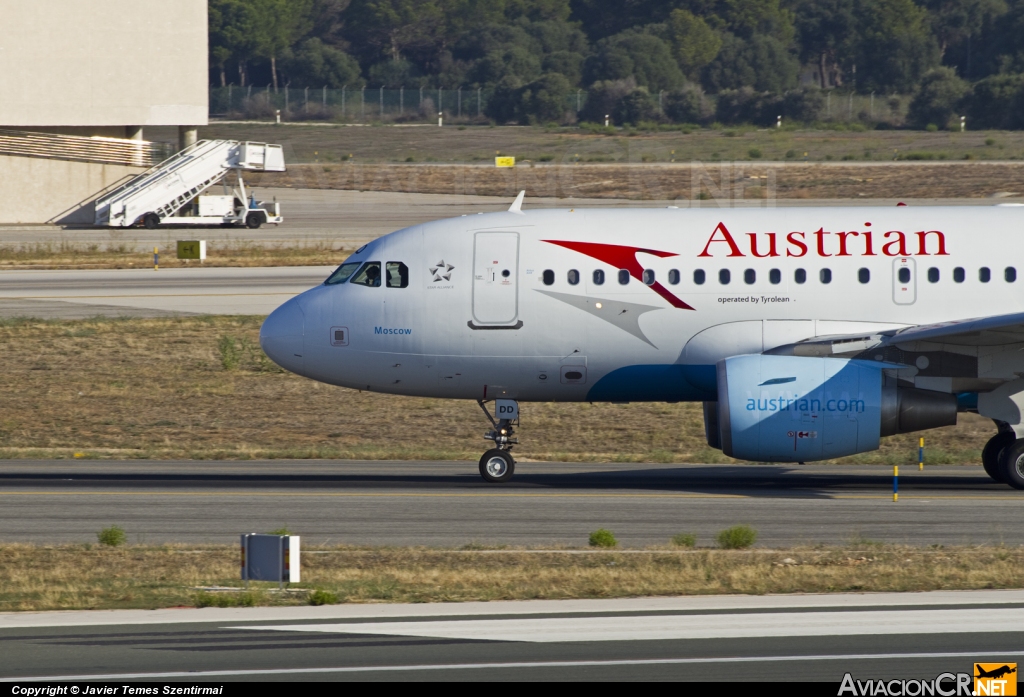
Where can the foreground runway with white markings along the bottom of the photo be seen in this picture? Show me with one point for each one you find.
(717, 639)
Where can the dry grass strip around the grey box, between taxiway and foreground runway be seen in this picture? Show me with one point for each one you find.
(92, 578)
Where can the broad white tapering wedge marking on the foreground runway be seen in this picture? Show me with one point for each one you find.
(550, 630)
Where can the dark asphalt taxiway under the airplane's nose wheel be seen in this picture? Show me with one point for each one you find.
(547, 504)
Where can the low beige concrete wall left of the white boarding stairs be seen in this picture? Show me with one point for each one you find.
(38, 191)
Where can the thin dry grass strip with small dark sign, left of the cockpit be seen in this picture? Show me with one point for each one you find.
(123, 254)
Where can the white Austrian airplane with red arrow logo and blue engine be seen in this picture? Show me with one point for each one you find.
(808, 334)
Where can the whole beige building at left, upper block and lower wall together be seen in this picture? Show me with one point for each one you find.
(103, 69)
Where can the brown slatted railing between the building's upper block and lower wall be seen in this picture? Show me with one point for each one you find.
(81, 149)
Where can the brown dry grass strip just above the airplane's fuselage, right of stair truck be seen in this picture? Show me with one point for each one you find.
(712, 183)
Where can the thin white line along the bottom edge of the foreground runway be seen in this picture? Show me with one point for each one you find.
(525, 665)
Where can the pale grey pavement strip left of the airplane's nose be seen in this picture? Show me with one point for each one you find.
(74, 295)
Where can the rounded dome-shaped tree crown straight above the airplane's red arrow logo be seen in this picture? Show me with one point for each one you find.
(641, 56)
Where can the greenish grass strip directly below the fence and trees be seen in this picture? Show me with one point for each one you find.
(331, 145)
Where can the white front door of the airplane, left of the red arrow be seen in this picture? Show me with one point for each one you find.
(496, 278)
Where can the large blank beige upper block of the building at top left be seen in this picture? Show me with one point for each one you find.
(104, 63)
